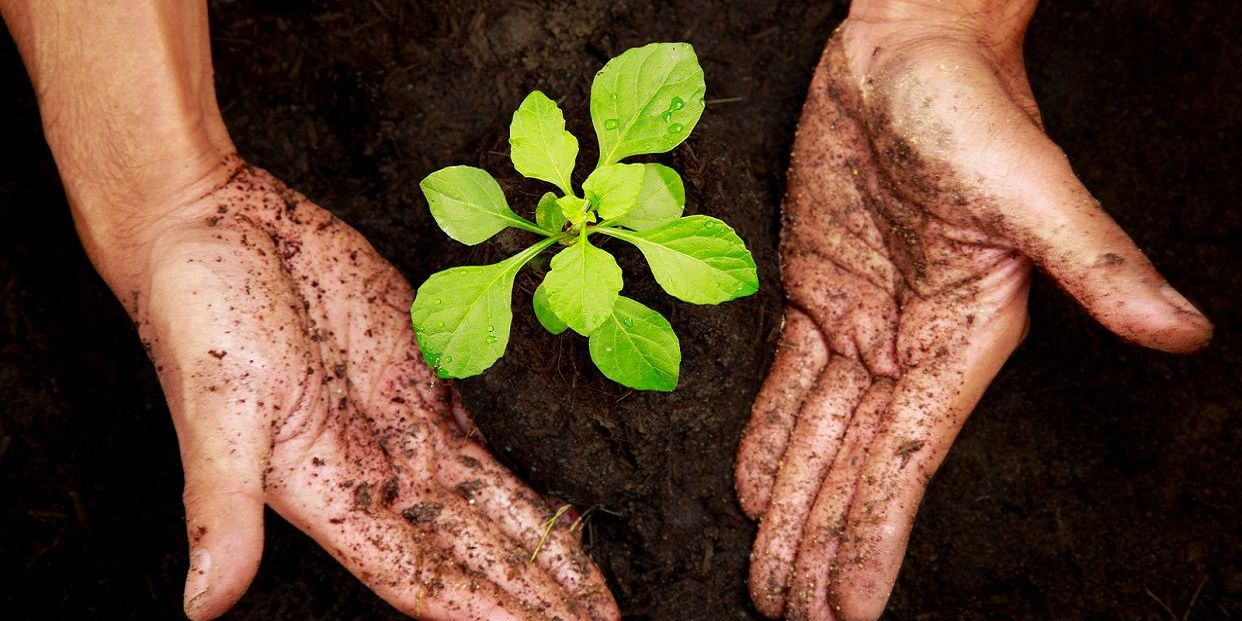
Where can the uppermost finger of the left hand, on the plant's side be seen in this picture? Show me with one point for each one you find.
(522, 516)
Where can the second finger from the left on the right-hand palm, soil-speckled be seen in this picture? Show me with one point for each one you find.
(812, 449)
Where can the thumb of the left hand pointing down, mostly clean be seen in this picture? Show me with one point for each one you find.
(224, 512)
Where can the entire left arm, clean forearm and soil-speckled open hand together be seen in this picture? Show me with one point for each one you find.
(281, 340)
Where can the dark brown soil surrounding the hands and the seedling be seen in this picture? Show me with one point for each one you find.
(1096, 480)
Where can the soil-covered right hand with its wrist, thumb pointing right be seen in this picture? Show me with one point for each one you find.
(922, 191)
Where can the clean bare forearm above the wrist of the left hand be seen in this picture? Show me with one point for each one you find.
(129, 107)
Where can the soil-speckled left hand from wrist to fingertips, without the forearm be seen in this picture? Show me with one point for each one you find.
(285, 350)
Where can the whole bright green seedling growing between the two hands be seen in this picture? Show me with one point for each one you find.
(645, 101)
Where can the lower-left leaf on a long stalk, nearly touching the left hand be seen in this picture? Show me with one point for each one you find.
(463, 316)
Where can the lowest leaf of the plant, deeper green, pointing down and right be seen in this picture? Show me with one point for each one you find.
(637, 347)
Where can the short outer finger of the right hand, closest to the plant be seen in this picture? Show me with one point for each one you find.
(800, 358)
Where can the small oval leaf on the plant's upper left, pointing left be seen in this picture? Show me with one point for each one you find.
(470, 206)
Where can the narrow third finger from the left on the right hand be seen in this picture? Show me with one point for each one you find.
(825, 526)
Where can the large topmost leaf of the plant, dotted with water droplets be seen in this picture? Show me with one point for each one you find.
(646, 101)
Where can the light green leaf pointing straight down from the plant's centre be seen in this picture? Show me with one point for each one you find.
(583, 286)
